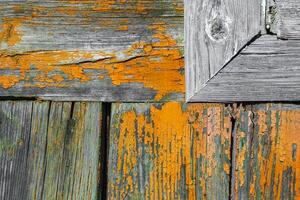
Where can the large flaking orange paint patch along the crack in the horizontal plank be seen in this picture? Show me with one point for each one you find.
(156, 65)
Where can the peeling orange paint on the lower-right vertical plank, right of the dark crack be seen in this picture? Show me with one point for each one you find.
(281, 140)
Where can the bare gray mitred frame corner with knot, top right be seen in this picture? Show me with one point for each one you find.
(236, 56)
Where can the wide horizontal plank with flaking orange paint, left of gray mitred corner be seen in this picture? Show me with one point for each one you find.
(92, 50)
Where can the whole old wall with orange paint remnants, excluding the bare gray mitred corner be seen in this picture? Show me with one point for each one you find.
(111, 50)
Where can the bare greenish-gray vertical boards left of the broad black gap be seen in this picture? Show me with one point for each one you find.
(49, 150)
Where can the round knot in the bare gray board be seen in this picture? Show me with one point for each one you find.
(217, 29)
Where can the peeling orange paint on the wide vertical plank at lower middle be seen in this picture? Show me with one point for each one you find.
(171, 138)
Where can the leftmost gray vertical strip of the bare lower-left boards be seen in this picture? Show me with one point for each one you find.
(15, 118)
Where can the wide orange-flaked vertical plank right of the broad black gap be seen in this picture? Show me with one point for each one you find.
(169, 151)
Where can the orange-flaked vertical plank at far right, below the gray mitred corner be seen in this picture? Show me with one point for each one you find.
(267, 148)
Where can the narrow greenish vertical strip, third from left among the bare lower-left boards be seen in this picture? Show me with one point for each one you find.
(59, 115)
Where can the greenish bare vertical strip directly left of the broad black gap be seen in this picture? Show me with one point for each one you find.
(82, 152)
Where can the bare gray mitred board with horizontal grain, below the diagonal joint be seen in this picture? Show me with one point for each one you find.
(267, 70)
